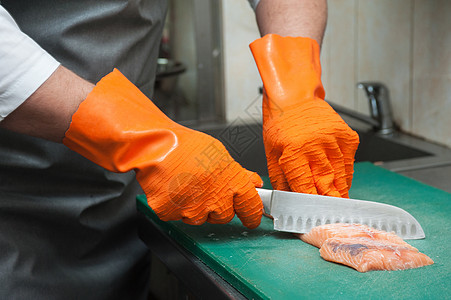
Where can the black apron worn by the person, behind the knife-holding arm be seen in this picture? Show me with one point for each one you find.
(67, 226)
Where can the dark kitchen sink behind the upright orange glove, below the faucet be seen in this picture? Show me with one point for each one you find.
(398, 152)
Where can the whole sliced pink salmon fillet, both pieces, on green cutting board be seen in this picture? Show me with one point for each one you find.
(364, 248)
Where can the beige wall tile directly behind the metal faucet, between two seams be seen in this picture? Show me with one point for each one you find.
(383, 41)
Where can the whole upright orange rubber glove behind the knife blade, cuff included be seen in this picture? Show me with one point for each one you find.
(309, 148)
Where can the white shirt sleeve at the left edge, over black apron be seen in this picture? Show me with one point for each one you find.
(24, 65)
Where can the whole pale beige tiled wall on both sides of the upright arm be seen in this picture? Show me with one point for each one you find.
(405, 44)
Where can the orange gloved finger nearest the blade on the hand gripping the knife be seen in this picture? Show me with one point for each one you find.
(248, 206)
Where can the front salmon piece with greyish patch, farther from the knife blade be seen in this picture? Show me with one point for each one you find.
(366, 254)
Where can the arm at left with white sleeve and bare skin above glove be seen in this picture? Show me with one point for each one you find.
(37, 96)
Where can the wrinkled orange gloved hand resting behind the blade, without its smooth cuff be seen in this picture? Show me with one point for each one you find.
(310, 149)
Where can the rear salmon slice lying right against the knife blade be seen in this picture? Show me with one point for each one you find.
(318, 235)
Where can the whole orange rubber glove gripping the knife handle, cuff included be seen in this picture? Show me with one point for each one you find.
(185, 174)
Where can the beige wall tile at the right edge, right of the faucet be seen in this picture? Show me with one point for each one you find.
(432, 70)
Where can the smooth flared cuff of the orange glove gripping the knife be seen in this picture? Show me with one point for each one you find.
(116, 122)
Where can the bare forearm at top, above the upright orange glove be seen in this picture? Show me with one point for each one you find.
(306, 18)
